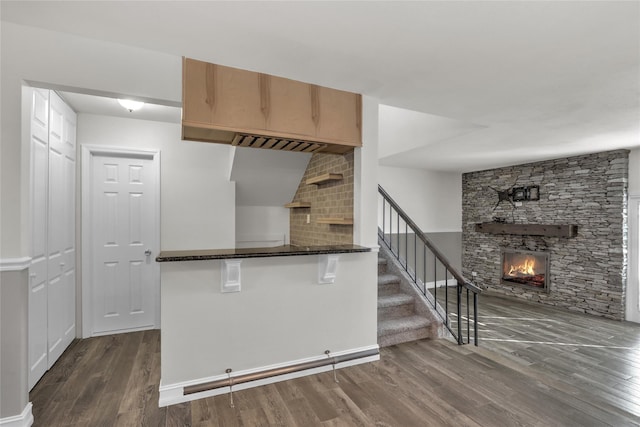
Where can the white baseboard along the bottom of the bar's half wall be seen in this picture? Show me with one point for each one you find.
(171, 394)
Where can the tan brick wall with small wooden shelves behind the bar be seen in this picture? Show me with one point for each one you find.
(331, 199)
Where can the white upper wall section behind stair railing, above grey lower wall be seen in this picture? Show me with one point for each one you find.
(432, 199)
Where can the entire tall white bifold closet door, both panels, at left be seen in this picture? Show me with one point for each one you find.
(52, 274)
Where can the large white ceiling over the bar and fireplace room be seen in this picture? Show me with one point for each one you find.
(488, 83)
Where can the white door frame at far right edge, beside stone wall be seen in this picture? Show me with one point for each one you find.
(633, 272)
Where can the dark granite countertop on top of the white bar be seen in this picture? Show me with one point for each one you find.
(286, 250)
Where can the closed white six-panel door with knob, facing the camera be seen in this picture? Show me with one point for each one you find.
(124, 242)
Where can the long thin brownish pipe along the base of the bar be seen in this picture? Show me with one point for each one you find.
(255, 376)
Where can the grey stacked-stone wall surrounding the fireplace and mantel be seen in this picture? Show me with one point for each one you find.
(588, 272)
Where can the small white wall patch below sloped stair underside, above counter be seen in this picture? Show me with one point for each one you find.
(261, 226)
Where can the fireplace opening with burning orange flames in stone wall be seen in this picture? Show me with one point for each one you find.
(525, 268)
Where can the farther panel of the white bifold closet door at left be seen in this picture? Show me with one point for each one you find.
(61, 227)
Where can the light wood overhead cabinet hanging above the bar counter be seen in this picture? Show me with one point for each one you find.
(220, 103)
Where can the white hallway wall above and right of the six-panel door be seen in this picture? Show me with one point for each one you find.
(197, 200)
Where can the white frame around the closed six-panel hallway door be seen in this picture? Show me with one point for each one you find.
(88, 152)
